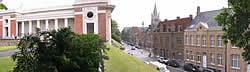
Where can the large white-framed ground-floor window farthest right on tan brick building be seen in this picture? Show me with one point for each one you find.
(235, 61)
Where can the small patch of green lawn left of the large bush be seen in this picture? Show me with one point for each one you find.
(6, 64)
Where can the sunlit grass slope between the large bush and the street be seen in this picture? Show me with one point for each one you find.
(122, 62)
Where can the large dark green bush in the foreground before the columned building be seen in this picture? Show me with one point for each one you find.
(61, 51)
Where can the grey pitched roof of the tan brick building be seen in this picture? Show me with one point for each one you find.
(206, 19)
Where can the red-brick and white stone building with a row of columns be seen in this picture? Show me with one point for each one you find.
(84, 16)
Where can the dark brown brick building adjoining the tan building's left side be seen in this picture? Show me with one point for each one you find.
(168, 38)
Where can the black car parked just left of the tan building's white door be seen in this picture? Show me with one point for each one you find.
(191, 68)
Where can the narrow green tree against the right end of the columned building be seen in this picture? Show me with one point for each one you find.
(115, 31)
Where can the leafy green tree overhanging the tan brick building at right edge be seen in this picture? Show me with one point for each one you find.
(235, 22)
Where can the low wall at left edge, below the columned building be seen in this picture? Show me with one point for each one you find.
(8, 42)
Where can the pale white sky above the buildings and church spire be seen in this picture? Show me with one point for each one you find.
(130, 13)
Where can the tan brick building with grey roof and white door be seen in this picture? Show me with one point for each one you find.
(204, 46)
